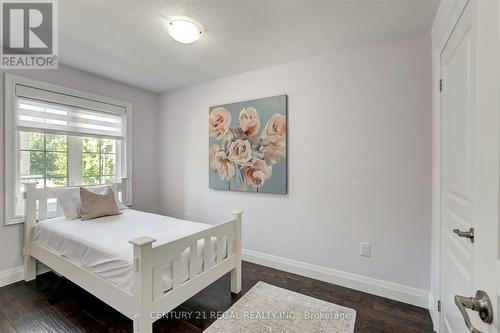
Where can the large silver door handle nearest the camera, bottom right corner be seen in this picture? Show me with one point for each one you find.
(481, 303)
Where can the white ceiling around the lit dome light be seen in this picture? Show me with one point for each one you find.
(127, 40)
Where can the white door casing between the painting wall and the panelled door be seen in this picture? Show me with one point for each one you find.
(446, 18)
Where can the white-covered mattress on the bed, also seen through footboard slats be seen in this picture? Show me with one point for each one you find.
(102, 245)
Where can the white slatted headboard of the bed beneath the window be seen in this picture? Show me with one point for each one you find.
(42, 195)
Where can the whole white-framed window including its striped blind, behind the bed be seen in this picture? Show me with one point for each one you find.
(60, 137)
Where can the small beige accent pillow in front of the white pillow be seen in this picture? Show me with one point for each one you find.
(96, 205)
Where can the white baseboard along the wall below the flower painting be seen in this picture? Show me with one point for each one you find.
(366, 284)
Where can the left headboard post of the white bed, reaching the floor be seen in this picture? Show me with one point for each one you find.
(29, 223)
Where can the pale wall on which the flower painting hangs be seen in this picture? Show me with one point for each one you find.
(359, 160)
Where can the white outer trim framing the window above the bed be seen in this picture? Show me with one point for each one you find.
(11, 162)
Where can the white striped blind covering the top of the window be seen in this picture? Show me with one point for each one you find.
(37, 111)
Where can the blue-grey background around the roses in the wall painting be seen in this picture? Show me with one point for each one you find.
(266, 107)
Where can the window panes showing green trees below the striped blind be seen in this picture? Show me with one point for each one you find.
(43, 159)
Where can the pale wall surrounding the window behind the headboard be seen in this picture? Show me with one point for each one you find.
(144, 145)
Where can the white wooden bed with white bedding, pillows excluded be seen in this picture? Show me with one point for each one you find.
(138, 263)
